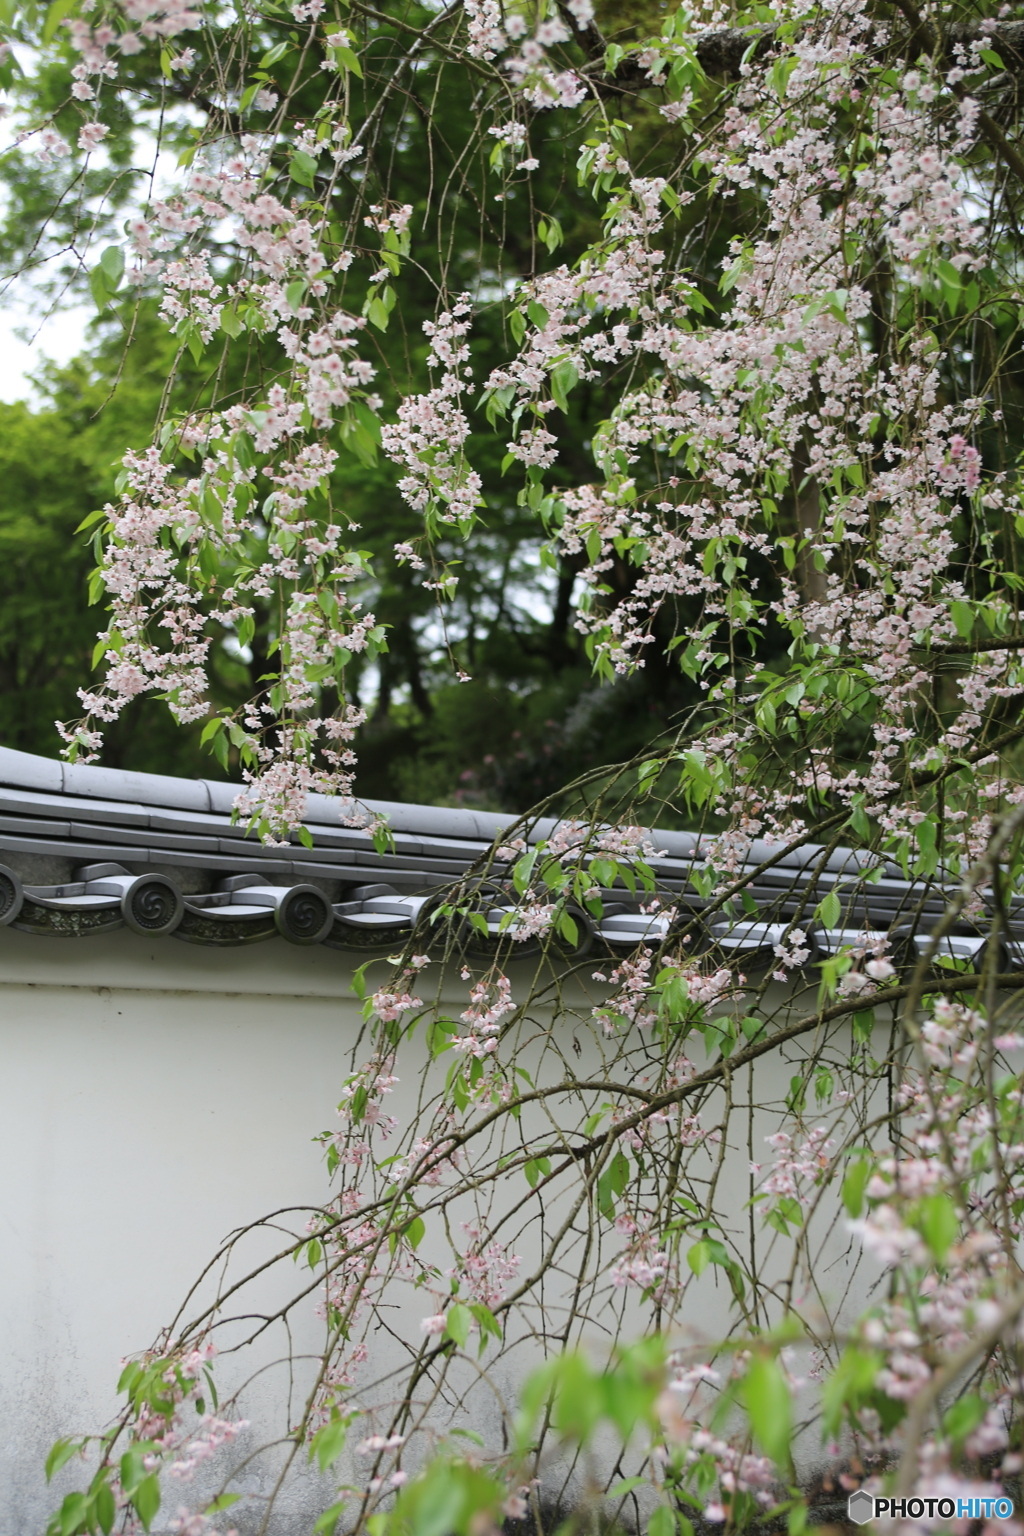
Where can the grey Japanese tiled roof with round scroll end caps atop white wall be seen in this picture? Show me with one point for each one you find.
(85, 850)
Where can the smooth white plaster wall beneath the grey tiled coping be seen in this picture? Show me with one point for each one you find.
(140, 1124)
